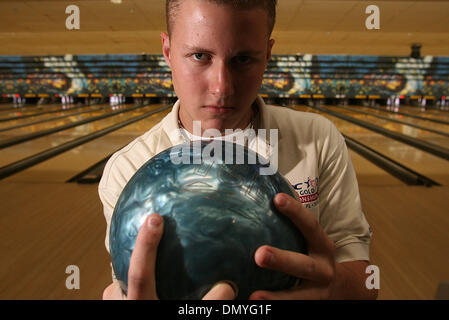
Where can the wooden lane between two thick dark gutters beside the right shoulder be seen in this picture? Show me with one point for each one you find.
(420, 161)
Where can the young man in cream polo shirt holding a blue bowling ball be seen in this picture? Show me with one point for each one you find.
(218, 51)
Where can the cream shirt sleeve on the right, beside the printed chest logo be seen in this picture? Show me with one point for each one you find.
(341, 214)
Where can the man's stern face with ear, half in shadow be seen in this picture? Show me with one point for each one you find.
(218, 56)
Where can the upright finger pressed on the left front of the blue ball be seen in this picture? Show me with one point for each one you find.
(141, 274)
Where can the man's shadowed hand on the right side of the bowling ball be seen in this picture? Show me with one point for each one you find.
(317, 270)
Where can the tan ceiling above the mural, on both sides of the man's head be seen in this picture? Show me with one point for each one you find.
(303, 26)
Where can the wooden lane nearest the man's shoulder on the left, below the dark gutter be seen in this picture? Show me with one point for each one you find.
(67, 165)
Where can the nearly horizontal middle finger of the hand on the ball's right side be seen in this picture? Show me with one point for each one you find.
(293, 263)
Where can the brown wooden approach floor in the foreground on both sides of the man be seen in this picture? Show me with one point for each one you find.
(45, 227)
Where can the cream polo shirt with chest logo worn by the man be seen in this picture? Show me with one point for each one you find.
(312, 155)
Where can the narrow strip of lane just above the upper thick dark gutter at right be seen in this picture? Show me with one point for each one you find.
(397, 127)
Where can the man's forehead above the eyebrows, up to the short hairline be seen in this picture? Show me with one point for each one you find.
(197, 20)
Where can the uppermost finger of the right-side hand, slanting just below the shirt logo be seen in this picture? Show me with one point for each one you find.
(306, 222)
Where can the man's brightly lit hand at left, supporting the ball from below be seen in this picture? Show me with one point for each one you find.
(141, 273)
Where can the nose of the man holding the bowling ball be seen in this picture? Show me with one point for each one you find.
(221, 84)
